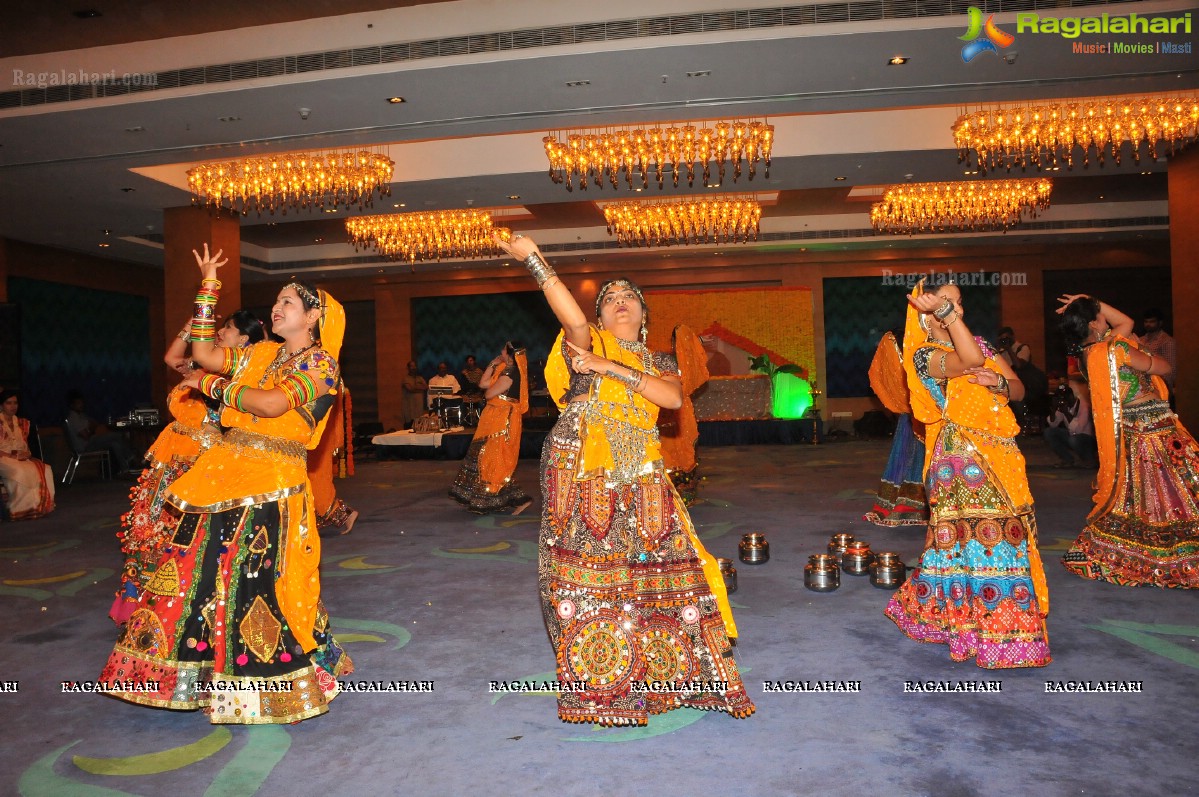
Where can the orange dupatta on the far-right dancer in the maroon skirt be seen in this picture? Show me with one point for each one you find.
(1104, 363)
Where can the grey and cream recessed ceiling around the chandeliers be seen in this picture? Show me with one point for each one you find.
(484, 82)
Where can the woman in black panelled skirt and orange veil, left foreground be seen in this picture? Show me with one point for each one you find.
(232, 621)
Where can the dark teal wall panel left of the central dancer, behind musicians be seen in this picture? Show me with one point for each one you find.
(450, 328)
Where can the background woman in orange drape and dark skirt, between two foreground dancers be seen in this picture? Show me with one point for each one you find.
(485, 482)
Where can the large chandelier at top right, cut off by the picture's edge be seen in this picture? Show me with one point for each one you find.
(1047, 135)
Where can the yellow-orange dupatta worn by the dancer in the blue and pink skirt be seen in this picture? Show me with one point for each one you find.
(981, 418)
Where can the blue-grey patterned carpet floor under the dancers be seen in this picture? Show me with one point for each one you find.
(425, 591)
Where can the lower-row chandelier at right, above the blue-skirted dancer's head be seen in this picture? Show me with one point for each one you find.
(957, 207)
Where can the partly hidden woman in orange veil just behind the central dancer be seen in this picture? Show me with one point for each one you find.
(678, 430)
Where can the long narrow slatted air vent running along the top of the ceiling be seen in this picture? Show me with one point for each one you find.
(557, 37)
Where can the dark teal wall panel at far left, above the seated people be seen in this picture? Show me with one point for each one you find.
(79, 339)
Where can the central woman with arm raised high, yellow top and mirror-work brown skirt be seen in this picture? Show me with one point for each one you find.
(629, 595)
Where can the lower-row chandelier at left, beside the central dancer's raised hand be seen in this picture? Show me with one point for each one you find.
(427, 237)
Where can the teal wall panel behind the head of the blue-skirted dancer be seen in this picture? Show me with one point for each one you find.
(860, 310)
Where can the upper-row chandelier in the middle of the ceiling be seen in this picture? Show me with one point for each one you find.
(602, 155)
